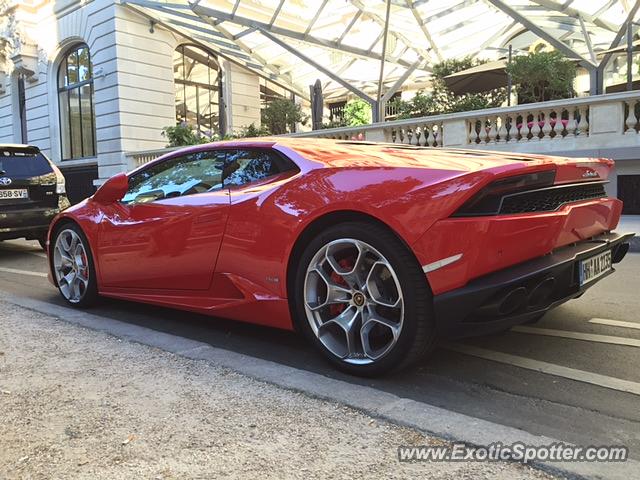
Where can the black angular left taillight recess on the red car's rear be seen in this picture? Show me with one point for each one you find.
(487, 201)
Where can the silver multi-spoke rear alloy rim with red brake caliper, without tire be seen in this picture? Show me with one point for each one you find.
(353, 301)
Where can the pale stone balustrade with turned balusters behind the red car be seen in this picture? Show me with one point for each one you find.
(597, 123)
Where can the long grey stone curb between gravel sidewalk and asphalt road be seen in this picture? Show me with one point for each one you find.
(435, 421)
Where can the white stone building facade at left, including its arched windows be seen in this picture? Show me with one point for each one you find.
(88, 81)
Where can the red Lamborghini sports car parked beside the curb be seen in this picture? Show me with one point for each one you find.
(374, 251)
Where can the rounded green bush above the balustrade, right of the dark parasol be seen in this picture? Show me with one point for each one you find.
(542, 76)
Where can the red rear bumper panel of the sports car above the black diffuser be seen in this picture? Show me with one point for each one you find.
(495, 242)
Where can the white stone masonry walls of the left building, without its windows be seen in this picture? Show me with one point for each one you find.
(134, 94)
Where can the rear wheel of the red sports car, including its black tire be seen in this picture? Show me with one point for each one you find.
(362, 299)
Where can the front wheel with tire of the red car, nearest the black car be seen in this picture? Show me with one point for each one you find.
(72, 266)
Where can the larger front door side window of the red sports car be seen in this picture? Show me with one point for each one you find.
(187, 175)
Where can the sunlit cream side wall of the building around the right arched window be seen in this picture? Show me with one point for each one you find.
(146, 88)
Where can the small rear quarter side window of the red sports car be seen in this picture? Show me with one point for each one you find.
(245, 166)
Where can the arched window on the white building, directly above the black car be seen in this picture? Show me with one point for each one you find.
(75, 97)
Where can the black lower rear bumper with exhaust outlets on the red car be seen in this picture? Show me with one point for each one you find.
(541, 284)
